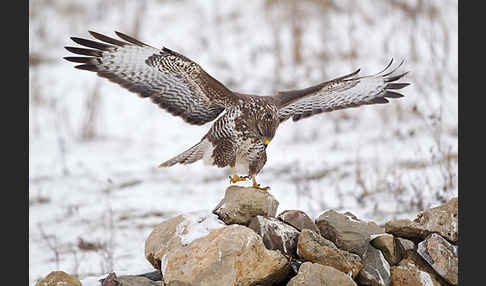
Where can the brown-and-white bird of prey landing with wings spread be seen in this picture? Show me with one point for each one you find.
(244, 124)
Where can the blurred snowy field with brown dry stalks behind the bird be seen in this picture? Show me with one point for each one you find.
(95, 191)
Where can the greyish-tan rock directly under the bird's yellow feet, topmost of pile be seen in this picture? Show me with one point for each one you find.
(240, 204)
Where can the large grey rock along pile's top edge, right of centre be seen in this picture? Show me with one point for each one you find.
(346, 231)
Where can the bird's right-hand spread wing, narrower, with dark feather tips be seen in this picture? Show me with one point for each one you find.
(343, 92)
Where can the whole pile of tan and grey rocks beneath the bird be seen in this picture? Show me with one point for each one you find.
(244, 242)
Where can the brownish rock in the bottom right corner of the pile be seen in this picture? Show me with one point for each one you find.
(441, 255)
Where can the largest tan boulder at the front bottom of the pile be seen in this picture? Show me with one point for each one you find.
(232, 255)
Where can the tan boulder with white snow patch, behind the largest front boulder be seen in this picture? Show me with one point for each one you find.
(178, 231)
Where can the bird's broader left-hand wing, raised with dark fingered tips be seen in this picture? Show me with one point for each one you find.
(168, 78)
